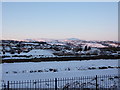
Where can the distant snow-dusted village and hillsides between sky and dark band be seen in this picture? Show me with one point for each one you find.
(12, 49)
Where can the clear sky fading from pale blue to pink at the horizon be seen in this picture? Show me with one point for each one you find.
(59, 20)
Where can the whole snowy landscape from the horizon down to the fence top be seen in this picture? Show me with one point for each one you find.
(25, 53)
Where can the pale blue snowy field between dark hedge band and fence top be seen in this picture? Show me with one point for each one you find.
(61, 69)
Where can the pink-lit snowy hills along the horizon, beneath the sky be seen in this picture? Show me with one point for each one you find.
(76, 41)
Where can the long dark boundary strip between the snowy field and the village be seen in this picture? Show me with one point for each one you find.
(44, 59)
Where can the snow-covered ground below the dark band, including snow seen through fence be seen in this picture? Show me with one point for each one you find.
(30, 71)
